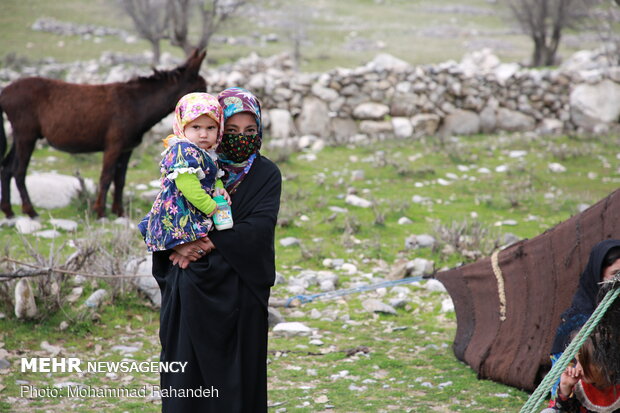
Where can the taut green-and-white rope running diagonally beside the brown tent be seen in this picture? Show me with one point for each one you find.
(533, 403)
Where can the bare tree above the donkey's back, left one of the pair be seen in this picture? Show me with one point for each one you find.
(150, 19)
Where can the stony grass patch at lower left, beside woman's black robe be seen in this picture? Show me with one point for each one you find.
(127, 321)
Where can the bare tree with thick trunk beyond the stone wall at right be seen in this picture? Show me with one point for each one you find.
(544, 21)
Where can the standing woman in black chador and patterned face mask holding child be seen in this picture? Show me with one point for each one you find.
(215, 290)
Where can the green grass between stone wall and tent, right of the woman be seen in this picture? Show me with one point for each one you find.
(515, 195)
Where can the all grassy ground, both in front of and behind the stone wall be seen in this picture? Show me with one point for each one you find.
(404, 362)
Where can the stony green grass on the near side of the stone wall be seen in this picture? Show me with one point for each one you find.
(403, 362)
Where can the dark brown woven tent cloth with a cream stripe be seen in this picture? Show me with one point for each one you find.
(508, 306)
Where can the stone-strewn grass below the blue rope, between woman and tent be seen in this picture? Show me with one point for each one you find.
(404, 368)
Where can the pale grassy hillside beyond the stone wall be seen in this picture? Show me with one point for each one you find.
(344, 33)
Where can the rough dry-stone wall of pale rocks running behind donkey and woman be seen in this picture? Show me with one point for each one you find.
(388, 97)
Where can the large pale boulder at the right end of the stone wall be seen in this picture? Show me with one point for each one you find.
(592, 105)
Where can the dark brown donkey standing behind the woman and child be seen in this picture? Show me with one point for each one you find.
(88, 118)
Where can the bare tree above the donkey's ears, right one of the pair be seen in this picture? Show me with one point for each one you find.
(212, 13)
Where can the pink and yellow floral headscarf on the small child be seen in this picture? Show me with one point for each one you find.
(192, 106)
